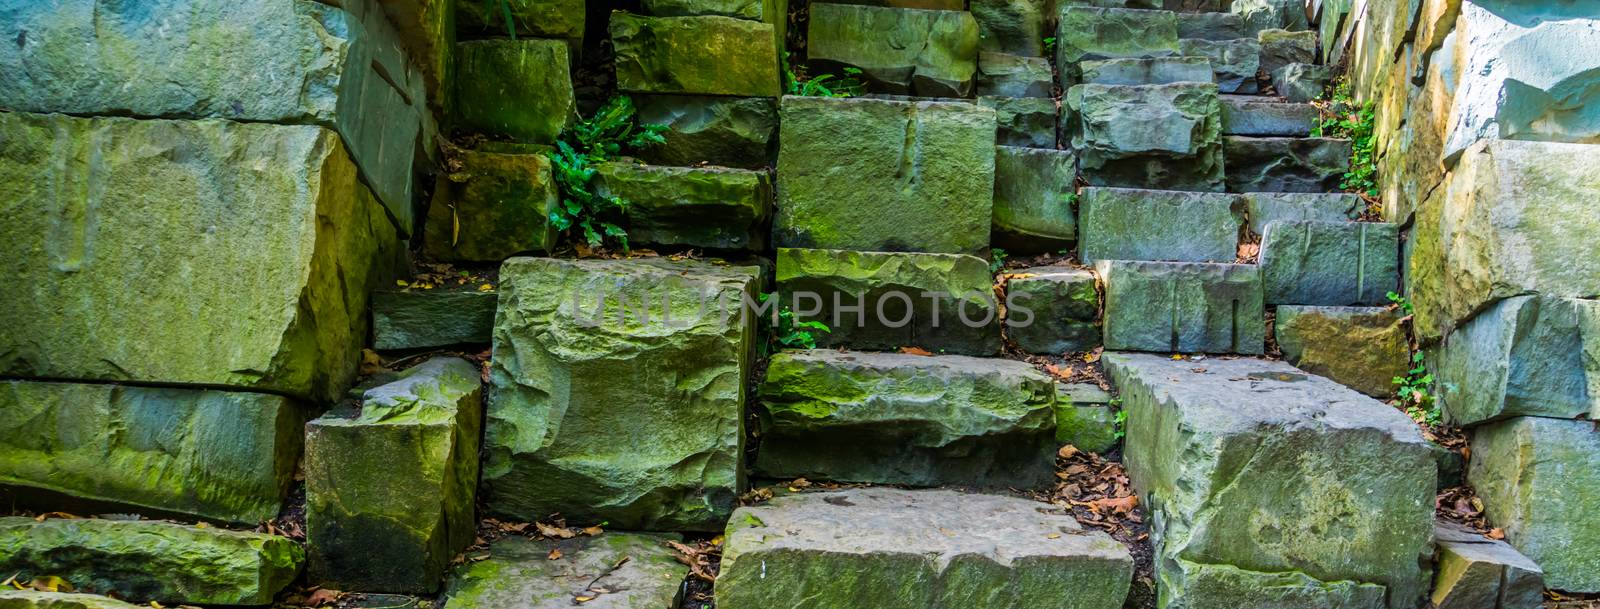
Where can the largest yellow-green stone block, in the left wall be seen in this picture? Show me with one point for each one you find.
(186, 253)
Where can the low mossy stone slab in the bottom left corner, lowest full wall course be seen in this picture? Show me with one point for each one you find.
(151, 560)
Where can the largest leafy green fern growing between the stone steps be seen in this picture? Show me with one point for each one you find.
(577, 157)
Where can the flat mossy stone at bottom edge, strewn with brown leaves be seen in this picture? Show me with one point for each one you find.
(614, 571)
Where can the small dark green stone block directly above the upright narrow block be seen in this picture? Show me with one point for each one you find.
(420, 319)
